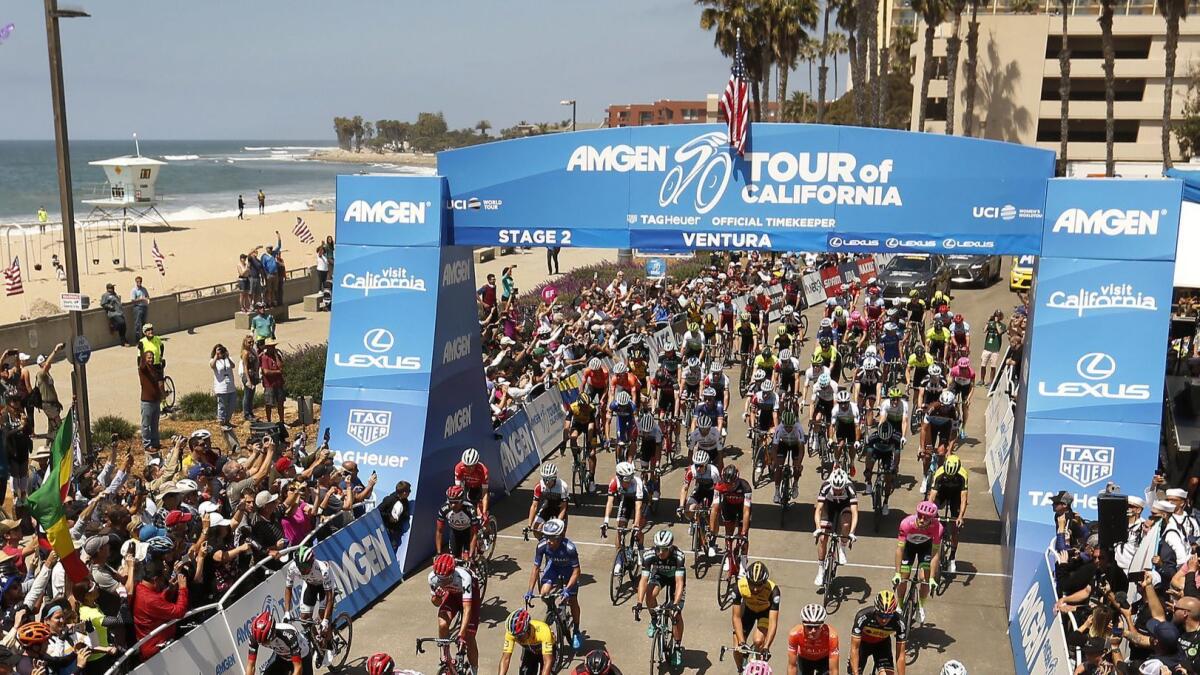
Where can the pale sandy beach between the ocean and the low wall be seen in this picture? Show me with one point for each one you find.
(199, 253)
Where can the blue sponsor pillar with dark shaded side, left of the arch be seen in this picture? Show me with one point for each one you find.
(404, 387)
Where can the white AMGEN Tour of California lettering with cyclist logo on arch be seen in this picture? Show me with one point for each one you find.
(704, 166)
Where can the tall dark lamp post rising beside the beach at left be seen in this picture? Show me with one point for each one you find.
(80, 374)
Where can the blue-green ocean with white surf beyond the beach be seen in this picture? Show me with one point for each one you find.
(202, 180)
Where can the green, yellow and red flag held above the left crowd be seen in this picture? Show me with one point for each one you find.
(46, 505)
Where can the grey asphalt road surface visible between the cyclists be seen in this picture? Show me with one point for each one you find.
(967, 623)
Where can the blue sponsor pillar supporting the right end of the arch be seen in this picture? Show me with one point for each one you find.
(1091, 395)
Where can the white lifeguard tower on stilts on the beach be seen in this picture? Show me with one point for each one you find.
(130, 189)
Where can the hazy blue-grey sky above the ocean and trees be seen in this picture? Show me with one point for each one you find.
(281, 70)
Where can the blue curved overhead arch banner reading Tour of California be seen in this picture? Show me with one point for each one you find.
(799, 188)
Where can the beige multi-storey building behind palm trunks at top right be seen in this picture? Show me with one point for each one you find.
(1017, 95)
